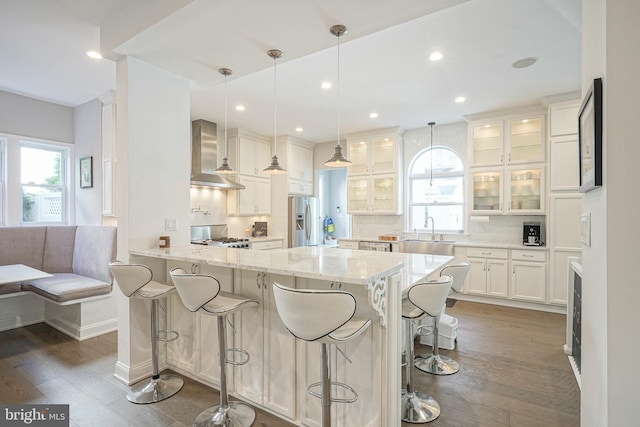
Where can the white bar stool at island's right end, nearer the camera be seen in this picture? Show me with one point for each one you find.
(422, 299)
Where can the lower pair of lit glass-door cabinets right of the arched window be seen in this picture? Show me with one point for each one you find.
(513, 190)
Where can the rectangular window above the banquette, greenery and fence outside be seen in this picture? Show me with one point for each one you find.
(43, 183)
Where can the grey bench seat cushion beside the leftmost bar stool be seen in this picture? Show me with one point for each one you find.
(65, 287)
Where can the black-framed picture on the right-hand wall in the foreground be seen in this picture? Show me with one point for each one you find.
(590, 138)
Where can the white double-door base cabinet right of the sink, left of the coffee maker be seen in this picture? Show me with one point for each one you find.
(489, 273)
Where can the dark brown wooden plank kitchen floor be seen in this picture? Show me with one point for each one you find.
(513, 373)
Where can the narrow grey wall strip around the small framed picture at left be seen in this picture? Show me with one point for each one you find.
(87, 120)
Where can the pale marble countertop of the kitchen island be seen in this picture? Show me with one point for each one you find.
(314, 262)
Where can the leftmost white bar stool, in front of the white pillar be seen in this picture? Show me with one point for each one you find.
(135, 281)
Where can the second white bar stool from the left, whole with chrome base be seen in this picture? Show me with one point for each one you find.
(201, 292)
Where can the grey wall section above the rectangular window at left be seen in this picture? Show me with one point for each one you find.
(21, 115)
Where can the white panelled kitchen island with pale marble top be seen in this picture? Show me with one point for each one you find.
(282, 367)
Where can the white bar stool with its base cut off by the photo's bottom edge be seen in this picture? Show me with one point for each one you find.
(325, 317)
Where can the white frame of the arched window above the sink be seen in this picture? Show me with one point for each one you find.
(411, 178)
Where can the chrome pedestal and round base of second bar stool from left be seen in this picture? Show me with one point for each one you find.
(226, 414)
